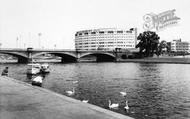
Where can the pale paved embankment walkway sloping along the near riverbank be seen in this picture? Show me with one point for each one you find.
(19, 100)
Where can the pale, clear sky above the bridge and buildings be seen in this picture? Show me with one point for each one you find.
(57, 21)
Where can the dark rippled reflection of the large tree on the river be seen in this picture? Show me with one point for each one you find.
(148, 91)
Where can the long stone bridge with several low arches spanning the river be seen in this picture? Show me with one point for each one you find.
(26, 55)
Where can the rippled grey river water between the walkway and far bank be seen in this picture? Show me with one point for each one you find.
(154, 91)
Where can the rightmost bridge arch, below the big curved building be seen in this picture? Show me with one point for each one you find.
(101, 57)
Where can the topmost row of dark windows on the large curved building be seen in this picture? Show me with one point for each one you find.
(102, 32)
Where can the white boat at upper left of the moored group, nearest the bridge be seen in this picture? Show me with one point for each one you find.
(33, 68)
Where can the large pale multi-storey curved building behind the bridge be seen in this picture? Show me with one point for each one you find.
(106, 39)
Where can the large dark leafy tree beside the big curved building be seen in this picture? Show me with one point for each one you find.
(148, 43)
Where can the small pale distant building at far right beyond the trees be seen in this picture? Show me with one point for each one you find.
(179, 46)
